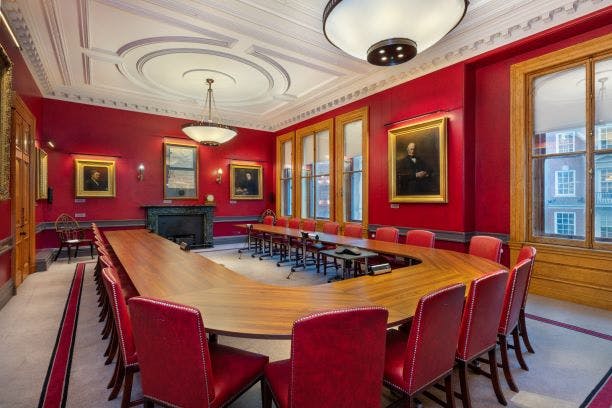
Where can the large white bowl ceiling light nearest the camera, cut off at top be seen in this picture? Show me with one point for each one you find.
(389, 32)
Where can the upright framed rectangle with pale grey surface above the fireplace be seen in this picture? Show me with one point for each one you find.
(180, 171)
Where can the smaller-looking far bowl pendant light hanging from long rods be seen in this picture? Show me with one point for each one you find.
(210, 131)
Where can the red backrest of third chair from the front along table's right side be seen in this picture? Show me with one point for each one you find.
(513, 297)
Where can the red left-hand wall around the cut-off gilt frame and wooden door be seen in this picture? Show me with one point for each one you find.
(25, 87)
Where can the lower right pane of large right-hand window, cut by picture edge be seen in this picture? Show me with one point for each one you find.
(603, 197)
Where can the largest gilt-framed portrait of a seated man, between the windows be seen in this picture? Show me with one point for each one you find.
(417, 163)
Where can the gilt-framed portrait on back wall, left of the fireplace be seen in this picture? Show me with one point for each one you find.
(94, 178)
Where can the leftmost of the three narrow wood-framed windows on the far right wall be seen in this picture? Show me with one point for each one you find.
(284, 166)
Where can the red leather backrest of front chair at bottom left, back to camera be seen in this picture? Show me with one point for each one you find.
(173, 354)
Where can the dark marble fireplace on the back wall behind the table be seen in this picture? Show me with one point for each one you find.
(191, 224)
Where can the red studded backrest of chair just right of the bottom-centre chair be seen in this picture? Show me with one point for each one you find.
(432, 342)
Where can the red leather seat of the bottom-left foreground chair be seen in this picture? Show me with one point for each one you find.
(233, 370)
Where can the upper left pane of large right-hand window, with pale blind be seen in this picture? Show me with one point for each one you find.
(559, 112)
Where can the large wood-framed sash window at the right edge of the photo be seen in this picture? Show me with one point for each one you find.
(562, 137)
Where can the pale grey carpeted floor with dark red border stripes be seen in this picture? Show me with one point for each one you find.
(567, 364)
